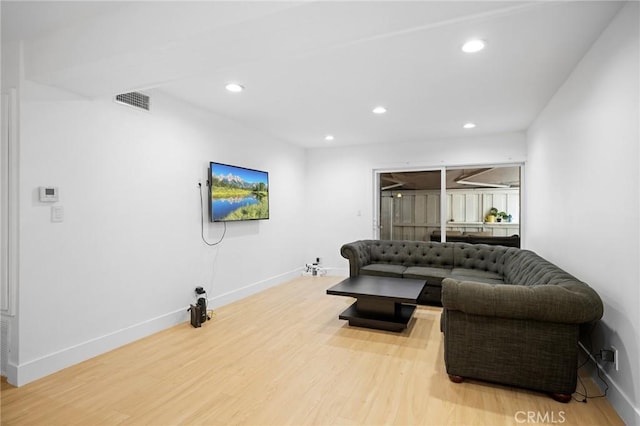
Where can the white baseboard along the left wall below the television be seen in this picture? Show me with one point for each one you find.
(19, 375)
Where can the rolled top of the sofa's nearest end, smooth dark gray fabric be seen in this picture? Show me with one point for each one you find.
(570, 302)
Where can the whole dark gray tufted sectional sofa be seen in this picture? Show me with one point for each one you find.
(509, 316)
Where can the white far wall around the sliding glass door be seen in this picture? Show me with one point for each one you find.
(340, 186)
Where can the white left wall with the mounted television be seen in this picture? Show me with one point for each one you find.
(126, 259)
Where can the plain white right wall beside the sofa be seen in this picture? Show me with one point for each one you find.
(587, 140)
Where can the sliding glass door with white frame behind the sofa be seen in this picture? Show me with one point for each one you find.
(468, 202)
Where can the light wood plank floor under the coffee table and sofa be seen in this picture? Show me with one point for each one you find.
(282, 357)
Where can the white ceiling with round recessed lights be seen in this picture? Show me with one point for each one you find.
(316, 68)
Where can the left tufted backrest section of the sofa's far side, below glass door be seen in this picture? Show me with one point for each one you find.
(412, 253)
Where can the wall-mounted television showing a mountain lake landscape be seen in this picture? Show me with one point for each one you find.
(237, 193)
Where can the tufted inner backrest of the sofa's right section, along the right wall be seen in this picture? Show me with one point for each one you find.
(527, 268)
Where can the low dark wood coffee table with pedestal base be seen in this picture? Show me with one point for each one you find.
(383, 303)
